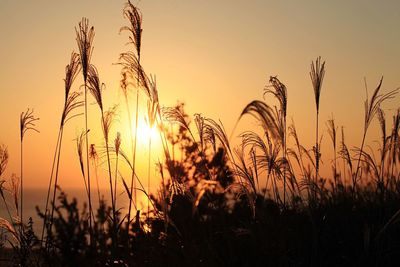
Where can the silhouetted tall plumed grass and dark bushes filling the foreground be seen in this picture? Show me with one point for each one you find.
(260, 203)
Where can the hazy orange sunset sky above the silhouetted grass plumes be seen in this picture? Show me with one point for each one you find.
(215, 56)
